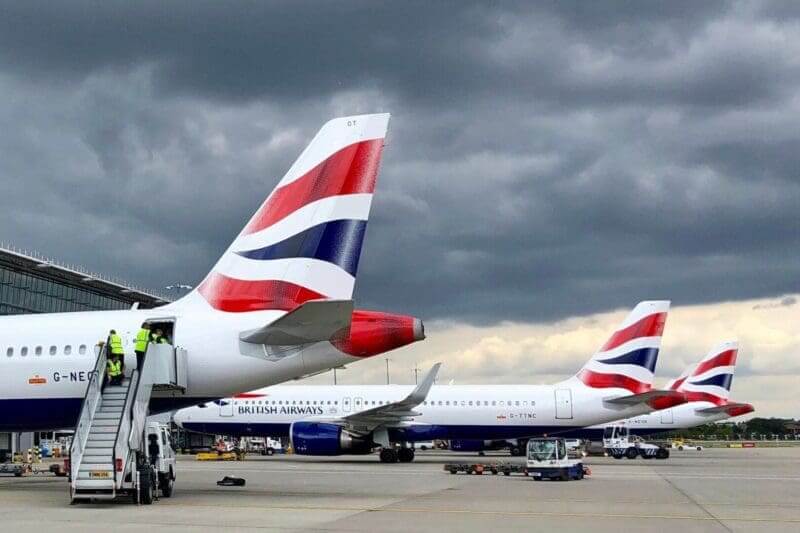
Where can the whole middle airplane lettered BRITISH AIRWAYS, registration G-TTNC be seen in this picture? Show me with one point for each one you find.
(332, 420)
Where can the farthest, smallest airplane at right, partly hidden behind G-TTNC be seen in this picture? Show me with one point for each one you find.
(707, 387)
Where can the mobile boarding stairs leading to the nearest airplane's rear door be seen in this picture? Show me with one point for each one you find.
(108, 456)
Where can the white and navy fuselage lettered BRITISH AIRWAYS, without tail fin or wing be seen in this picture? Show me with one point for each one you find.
(449, 412)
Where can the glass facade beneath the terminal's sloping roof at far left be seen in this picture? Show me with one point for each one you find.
(25, 292)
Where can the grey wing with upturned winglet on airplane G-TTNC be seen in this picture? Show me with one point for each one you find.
(390, 414)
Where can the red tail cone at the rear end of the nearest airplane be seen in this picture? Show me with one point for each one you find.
(372, 333)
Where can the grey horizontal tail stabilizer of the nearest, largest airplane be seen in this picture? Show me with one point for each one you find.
(313, 321)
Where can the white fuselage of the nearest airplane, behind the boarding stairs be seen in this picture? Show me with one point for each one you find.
(45, 391)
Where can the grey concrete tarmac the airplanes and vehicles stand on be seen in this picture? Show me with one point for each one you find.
(709, 490)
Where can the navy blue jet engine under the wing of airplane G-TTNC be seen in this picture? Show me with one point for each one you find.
(318, 438)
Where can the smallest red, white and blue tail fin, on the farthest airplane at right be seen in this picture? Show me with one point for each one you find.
(711, 378)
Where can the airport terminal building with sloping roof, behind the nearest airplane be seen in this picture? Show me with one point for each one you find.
(30, 283)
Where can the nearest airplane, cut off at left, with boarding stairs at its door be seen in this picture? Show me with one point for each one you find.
(276, 306)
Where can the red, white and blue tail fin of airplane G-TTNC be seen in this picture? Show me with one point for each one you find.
(628, 359)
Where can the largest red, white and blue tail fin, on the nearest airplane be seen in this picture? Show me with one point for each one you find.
(304, 242)
